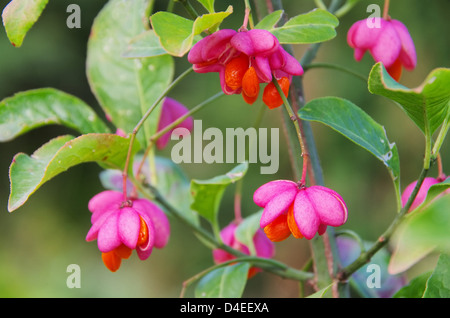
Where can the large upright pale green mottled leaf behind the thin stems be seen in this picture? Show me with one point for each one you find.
(125, 88)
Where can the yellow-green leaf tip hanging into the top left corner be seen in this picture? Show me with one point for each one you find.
(19, 16)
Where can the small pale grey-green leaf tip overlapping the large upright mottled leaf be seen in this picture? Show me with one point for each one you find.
(145, 44)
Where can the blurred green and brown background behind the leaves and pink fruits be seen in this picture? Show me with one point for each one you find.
(42, 238)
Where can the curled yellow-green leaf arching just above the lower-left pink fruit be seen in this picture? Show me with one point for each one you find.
(29, 173)
